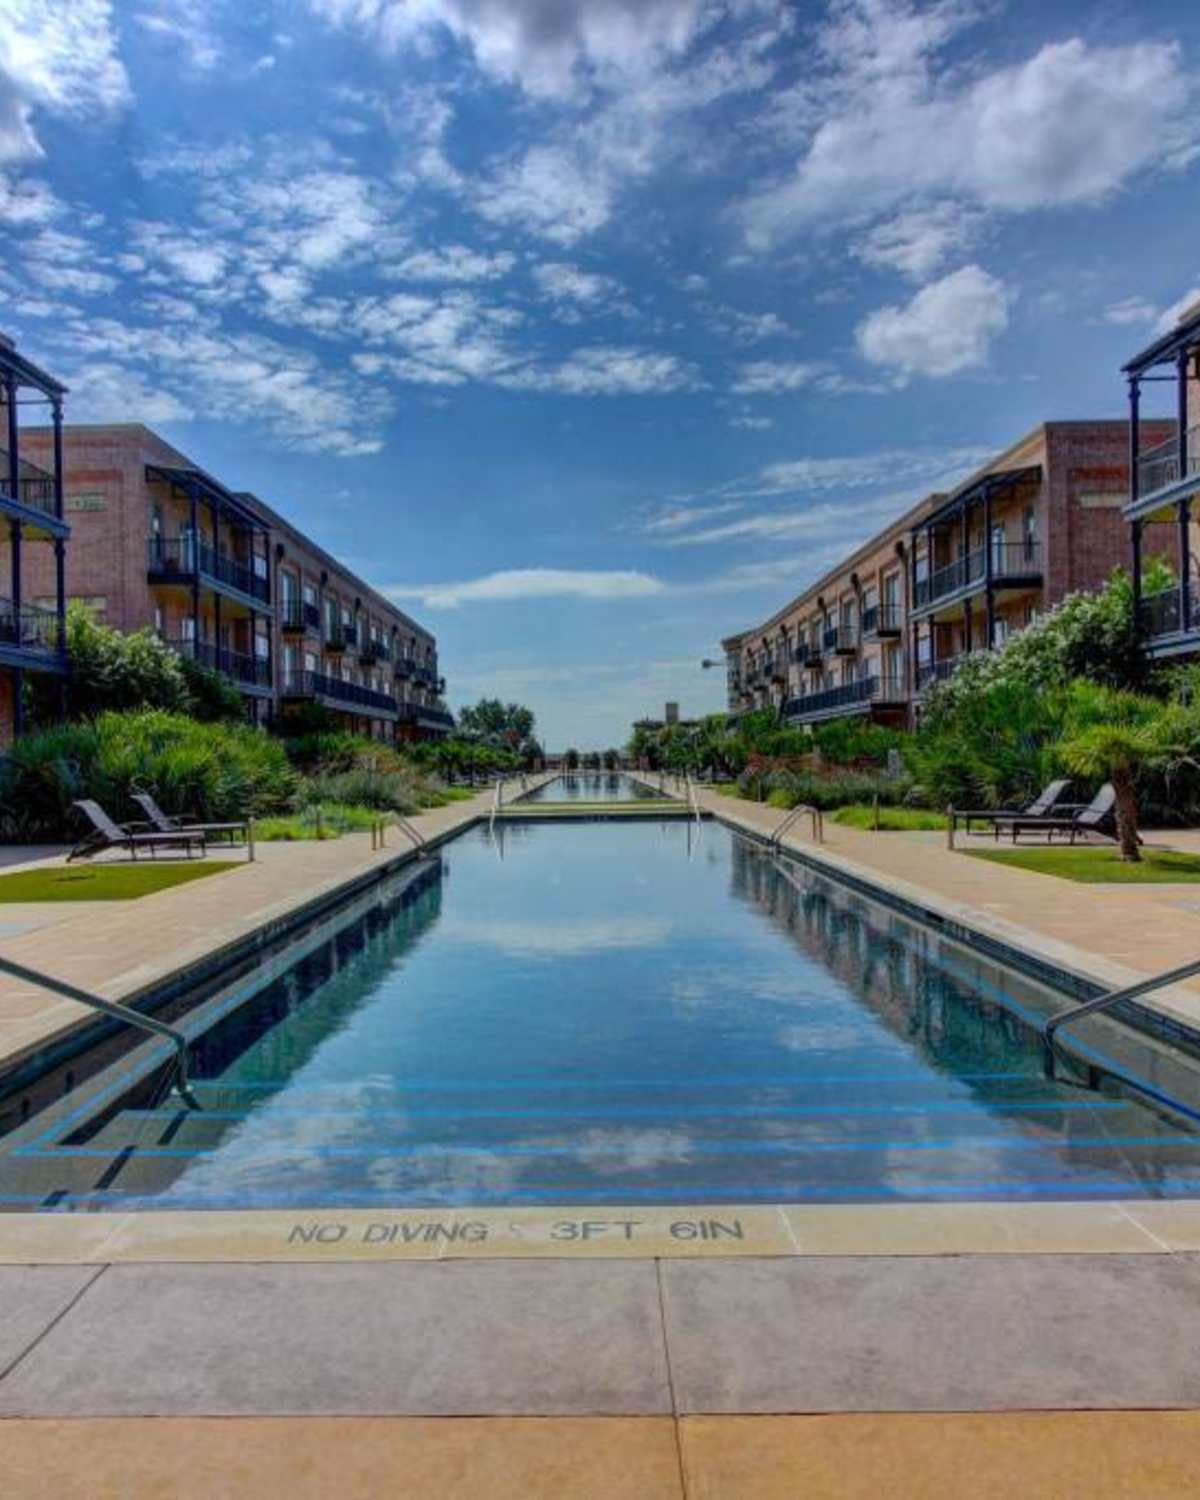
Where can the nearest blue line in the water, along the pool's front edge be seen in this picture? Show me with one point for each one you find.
(697, 1195)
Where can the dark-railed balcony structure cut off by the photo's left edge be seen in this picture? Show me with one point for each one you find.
(34, 538)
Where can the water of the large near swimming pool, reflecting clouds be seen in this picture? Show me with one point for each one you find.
(614, 1015)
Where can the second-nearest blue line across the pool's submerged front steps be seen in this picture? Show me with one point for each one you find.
(770, 1148)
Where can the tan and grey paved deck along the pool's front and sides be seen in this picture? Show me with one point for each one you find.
(986, 1351)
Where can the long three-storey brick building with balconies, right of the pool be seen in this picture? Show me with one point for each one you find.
(958, 574)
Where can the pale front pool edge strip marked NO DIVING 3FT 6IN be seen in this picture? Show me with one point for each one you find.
(340, 1237)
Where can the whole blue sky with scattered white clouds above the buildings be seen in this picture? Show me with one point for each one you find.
(592, 331)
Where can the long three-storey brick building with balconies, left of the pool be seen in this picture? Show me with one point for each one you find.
(226, 580)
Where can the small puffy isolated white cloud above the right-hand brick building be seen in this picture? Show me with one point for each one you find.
(947, 328)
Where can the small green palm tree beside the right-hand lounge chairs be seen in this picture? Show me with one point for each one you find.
(1117, 737)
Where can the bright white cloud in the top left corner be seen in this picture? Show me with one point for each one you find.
(61, 58)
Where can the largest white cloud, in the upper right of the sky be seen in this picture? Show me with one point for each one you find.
(1073, 124)
